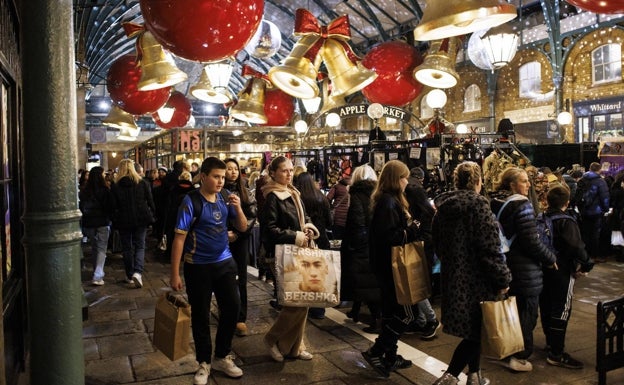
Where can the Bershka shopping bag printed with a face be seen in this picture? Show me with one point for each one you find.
(307, 276)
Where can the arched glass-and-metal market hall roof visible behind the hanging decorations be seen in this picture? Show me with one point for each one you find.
(101, 39)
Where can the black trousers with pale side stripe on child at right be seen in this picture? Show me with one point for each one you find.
(556, 307)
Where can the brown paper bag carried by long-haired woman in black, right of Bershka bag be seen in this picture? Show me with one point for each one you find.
(412, 281)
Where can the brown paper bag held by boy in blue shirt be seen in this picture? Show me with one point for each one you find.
(172, 326)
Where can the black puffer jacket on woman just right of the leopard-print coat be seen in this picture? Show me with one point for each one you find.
(527, 255)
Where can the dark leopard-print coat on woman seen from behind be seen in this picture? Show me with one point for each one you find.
(466, 241)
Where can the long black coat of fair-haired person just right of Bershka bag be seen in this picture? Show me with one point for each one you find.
(358, 281)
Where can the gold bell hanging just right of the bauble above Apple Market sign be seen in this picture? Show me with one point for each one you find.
(438, 68)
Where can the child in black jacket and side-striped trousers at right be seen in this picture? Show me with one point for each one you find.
(556, 297)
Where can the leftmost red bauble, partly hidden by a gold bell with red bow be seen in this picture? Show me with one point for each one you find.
(121, 82)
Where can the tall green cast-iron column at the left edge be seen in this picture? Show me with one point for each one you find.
(51, 219)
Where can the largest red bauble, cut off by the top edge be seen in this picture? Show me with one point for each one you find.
(203, 30)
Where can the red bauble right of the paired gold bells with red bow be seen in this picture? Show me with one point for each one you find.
(394, 63)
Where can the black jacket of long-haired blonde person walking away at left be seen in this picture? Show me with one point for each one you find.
(132, 204)
